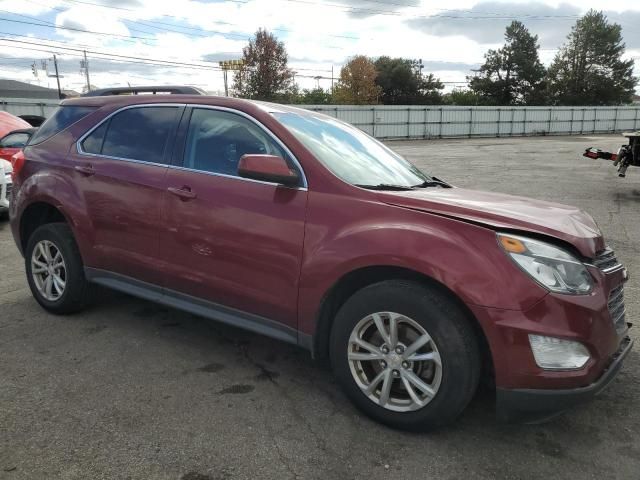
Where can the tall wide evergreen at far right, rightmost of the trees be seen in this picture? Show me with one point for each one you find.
(589, 69)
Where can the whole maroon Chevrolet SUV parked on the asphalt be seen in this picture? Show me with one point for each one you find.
(301, 227)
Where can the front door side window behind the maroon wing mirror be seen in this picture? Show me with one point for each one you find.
(216, 140)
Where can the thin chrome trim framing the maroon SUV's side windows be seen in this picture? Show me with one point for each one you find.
(269, 133)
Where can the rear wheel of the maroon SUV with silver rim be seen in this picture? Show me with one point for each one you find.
(75, 294)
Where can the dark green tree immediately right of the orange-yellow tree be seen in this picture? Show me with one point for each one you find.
(400, 84)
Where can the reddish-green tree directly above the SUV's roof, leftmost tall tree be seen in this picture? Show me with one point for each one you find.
(264, 74)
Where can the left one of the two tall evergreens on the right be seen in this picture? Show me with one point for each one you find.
(513, 74)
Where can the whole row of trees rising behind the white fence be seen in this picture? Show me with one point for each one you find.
(588, 69)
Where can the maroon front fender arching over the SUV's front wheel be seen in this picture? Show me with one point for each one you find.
(465, 258)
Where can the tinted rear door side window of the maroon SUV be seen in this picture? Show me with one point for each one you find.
(140, 133)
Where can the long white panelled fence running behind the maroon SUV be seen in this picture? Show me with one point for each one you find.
(386, 121)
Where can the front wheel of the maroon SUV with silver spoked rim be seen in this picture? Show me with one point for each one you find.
(417, 309)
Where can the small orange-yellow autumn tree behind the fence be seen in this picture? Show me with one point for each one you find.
(357, 83)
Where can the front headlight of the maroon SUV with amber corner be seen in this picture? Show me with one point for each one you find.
(550, 266)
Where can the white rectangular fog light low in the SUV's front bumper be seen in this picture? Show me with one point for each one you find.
(558, 354)
